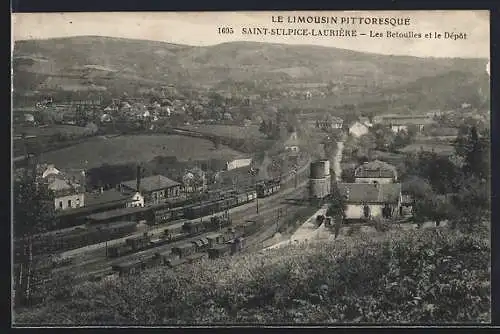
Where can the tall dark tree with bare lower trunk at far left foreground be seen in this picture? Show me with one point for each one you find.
(33, 214)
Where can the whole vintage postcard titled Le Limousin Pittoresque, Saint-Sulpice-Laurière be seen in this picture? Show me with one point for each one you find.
(251, 168)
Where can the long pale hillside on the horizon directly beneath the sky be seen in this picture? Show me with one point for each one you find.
(115, 64)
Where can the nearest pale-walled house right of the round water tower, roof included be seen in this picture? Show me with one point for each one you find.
(369, 200)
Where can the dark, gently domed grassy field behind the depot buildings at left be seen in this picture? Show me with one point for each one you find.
(137, 148)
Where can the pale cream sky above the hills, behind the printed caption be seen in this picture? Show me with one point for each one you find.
(201, 28)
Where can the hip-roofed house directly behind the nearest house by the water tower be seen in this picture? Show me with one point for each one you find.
(375, 172)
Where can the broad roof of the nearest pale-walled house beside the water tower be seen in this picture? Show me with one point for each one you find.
(370, 193)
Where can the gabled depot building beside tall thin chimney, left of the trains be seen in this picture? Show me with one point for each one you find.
(155, 189)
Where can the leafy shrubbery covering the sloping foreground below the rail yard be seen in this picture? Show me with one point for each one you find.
(427, 276)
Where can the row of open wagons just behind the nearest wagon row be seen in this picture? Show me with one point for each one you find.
(176, 232)
